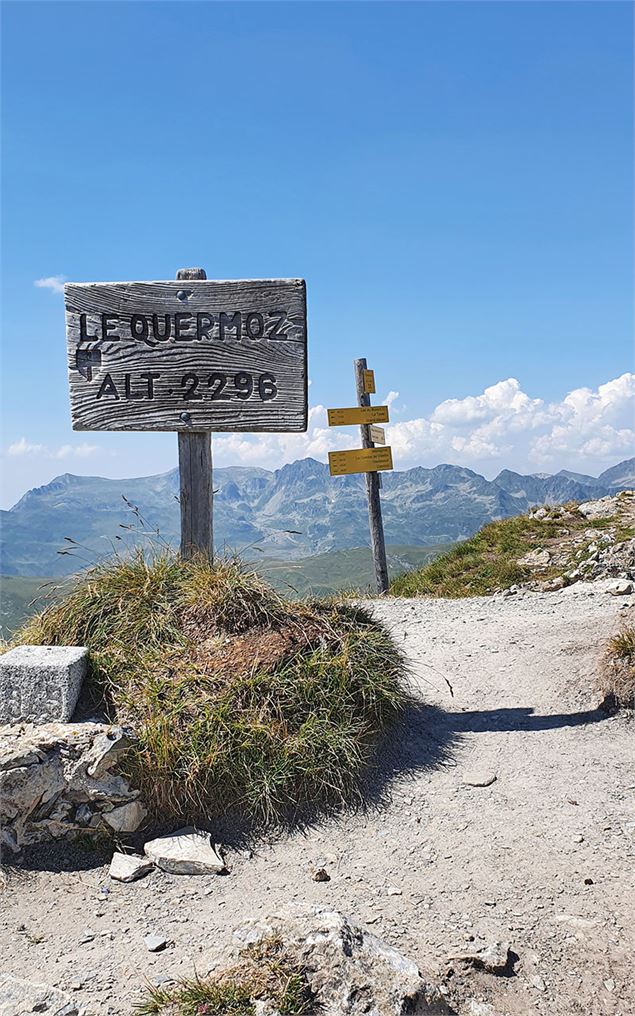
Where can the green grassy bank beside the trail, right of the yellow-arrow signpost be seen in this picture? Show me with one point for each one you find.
(483, 564)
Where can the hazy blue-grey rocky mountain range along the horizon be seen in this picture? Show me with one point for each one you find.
(290, 514)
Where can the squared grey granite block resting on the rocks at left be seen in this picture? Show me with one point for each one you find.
(41, 684)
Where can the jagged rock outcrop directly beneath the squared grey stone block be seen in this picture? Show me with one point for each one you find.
(58, 781)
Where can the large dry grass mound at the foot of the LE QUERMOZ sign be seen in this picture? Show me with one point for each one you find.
(241, 701)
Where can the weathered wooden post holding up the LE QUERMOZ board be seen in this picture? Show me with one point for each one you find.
(196, 478)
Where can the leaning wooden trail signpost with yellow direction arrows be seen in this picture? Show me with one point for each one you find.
(367, 460)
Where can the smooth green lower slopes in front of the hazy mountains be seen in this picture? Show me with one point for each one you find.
(321, 576)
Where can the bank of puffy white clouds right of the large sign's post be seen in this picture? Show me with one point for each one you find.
(501, 427)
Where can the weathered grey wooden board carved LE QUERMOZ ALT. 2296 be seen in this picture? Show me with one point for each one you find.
(190, 355)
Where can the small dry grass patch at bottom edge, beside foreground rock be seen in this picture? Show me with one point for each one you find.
(266, 974)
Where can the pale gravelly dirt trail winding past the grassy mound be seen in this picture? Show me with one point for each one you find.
(543, 857)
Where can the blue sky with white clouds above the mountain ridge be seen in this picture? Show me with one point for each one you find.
(454, 180)
